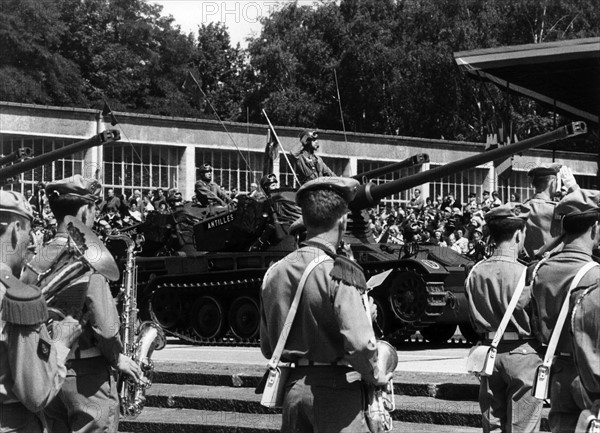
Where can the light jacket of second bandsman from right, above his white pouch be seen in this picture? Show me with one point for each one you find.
(490, 288)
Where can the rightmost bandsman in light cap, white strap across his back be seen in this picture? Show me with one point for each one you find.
(581, 231)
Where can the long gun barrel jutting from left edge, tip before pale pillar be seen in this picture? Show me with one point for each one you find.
(104, 137)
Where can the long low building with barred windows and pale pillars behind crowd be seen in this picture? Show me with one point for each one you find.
(165, 152)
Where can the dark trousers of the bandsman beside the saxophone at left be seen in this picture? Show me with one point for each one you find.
(88, 400)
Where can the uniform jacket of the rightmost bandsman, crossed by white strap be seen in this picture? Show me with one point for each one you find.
(551, 286)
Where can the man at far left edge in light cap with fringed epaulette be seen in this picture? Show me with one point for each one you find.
(32, 364)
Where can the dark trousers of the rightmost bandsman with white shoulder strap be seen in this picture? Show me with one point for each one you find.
(568, 397)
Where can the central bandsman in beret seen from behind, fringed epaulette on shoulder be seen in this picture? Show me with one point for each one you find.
(331, 329)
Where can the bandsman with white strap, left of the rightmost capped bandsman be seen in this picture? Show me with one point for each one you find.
(505, 397)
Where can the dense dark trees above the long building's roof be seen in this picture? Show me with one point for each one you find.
(391, 61)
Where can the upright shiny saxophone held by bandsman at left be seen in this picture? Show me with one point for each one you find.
(138, 344)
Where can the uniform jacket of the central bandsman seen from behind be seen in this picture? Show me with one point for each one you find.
(331, 323)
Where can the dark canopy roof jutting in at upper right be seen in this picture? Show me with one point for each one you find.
(564, 75)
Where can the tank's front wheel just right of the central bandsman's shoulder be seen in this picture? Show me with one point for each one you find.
(408, 296)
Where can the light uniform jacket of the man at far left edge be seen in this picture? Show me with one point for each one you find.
(32, 366)
